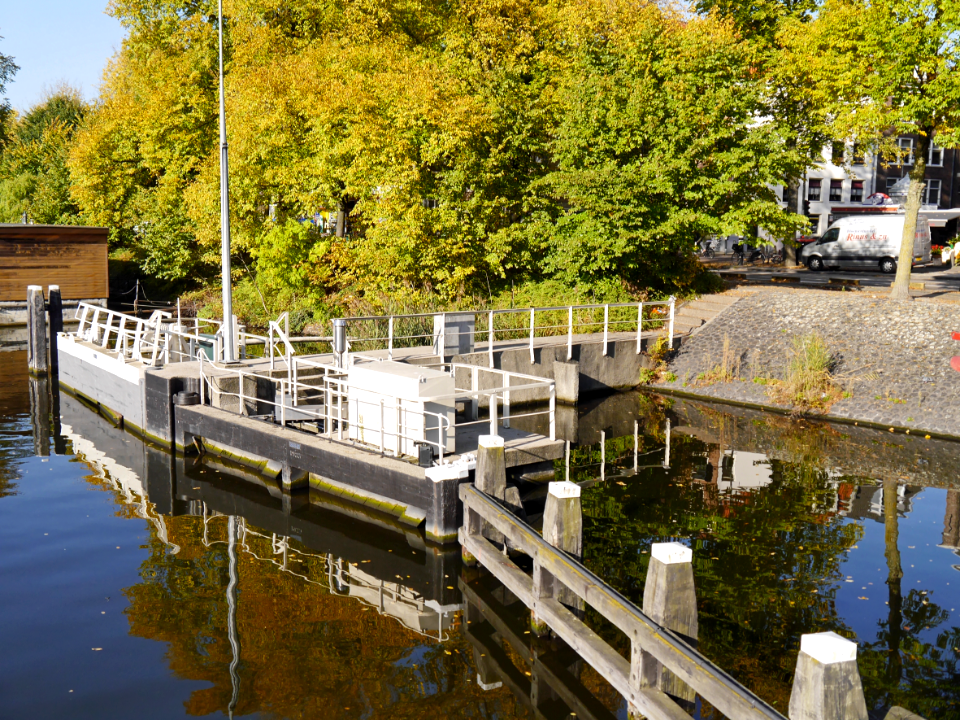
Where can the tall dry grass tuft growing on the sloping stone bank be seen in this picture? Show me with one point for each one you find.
(809, 385)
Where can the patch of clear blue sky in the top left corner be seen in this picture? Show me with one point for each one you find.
(56, 41)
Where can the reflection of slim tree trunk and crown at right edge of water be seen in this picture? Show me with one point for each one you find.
(898, 668)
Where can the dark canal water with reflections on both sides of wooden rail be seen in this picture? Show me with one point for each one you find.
(139, 585)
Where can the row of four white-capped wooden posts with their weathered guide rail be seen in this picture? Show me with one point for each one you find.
(826, 683)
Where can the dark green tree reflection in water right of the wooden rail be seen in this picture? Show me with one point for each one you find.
(767, 567)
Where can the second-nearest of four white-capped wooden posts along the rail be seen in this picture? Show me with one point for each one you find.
(670, 600)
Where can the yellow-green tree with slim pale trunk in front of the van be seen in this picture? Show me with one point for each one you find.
(879, 69)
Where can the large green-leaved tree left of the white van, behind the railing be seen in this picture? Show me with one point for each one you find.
(657, 145)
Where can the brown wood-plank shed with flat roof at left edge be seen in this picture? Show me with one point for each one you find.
(73, 257)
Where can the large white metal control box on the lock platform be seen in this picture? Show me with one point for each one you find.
(399, 402)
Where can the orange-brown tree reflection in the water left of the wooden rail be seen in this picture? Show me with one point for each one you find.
(305, 652)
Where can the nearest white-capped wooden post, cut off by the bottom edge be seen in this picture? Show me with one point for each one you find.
(827, 685)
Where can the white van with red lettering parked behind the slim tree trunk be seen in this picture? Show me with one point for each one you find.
(868, 241)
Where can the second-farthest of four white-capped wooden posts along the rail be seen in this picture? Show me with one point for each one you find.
(563, 529)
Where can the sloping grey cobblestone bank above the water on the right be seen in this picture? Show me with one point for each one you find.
(894, 358)
